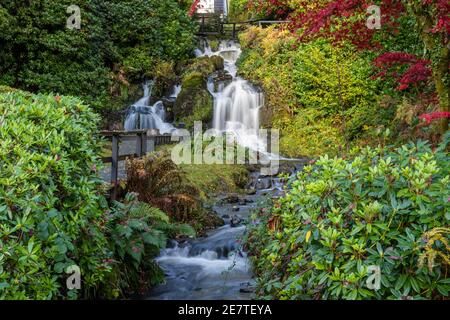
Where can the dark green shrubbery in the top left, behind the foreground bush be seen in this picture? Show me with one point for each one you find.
(120, 42)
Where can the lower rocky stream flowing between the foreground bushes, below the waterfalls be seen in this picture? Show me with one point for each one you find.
(215, 267)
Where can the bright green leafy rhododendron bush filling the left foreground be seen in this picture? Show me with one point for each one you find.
(51, 202)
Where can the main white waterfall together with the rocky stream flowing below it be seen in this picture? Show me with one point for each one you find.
(216, 267)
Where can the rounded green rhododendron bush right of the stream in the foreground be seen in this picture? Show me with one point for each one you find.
(381, 208)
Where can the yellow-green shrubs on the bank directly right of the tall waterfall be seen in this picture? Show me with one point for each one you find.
(315, 91)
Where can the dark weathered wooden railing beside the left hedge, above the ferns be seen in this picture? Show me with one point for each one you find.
(141, 137)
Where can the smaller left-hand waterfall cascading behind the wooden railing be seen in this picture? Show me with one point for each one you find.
(143, 116)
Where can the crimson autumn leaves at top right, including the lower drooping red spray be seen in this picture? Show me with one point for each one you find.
(345, 20)
